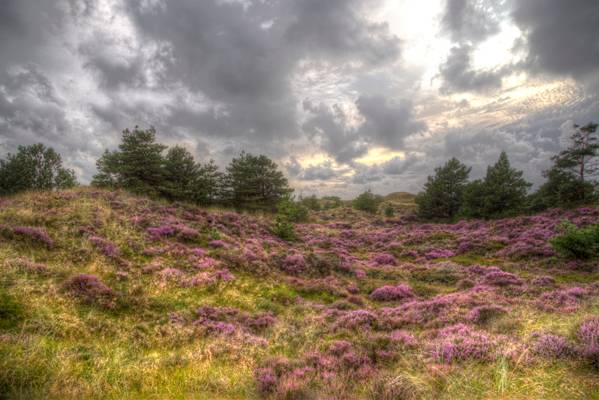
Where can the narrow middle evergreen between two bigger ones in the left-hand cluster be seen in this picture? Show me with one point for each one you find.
(180, 174)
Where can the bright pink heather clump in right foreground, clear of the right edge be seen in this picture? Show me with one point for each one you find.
(460, 342)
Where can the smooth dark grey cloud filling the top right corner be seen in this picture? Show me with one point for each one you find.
(562, 37)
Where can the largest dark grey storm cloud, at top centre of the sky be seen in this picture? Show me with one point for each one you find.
(242, 56)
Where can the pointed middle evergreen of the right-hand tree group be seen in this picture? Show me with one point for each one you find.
(501, 193)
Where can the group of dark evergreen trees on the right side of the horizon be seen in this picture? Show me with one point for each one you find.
(570, 181)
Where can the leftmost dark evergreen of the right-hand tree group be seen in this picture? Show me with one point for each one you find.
(442, 195)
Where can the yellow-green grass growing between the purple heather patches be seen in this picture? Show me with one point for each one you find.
(54, 346)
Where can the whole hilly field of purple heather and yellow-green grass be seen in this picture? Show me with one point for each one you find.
(111, 296)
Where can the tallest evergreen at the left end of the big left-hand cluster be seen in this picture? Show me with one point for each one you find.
(136, 166)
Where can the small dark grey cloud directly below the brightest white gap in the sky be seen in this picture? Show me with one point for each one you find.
(458, 76)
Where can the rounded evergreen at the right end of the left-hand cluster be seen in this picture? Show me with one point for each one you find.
(255, 183)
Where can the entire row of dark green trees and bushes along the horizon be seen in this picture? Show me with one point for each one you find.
(143, 166)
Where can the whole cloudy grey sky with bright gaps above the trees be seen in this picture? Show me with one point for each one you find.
(345, 95)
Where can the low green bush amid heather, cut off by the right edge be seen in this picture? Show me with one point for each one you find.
(578, 243)
